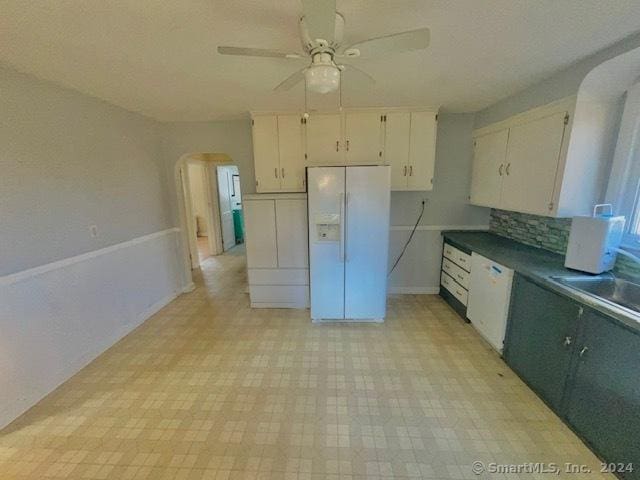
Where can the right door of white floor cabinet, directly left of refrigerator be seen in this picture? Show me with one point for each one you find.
(292, 231)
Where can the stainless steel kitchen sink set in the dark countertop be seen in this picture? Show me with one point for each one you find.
(611, 289)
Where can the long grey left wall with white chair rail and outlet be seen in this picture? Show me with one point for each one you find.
(69, 161)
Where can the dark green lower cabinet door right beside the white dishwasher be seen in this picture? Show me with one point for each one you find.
(540, 338)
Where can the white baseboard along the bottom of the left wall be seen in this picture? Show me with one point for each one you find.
(14, 411)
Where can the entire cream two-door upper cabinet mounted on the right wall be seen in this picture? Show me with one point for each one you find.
(549, 161)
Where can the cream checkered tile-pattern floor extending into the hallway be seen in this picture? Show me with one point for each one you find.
(210, 389)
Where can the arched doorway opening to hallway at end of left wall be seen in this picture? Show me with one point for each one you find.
(210, 201)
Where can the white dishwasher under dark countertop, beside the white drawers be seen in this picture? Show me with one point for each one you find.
(489, 295)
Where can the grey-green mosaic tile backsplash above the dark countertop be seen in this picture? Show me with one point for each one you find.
(545, 232)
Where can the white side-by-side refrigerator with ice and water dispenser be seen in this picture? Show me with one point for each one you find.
(348, 241)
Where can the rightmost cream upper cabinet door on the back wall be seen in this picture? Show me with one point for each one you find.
(422, 150)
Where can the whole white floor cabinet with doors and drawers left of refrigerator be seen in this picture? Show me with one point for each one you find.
(277, 250)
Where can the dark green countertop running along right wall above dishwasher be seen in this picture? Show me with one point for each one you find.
(537, 265)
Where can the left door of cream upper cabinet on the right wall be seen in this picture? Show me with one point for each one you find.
(489, 158)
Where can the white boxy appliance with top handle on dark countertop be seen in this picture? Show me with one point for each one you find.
(593, 241)
